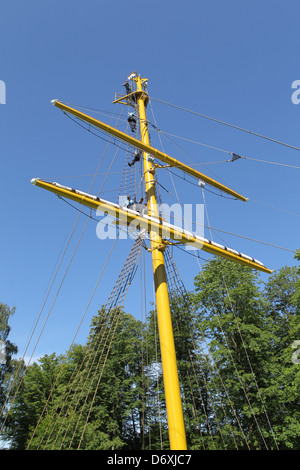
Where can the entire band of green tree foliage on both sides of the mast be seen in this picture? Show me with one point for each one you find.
(234, 339)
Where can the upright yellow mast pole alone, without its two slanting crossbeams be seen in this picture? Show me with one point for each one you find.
(169, 364)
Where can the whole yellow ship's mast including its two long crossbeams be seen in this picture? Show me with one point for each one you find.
(170, 372)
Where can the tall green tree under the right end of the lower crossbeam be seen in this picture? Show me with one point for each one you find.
(231, 309)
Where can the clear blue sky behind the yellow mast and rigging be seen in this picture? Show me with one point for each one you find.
(234, 61)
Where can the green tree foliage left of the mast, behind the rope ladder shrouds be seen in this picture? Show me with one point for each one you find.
(97, 396)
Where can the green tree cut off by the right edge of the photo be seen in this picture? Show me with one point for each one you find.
(282, 392)
